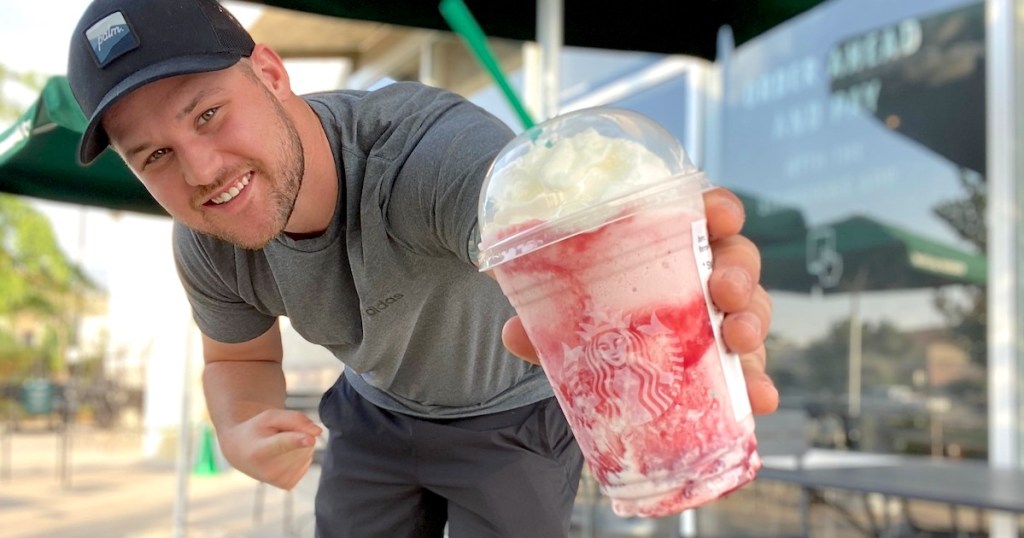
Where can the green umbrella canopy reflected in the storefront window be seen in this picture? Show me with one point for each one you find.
(861, 255)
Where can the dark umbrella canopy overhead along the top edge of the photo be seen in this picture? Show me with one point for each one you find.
(653, 26)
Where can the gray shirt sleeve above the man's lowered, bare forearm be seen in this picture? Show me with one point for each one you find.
(207, 275)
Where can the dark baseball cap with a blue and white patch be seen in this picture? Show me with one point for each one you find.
(121, 46)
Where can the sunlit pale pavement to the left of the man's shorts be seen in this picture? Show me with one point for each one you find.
(112, 492)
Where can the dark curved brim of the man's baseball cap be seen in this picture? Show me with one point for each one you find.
(95, 140)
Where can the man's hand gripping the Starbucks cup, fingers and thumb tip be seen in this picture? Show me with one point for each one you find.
(735, 289)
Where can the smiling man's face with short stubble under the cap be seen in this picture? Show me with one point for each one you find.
(217, 150)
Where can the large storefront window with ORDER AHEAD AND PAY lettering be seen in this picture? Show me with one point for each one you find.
(858, 139)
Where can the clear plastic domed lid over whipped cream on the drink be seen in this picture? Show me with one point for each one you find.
(543, 186)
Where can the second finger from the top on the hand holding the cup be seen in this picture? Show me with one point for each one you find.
(737, 272)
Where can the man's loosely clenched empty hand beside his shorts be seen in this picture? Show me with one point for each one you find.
(275, 446)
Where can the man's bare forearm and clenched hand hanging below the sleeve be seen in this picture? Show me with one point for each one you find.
(245, 394)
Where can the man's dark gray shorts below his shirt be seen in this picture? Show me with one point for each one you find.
(391, 476)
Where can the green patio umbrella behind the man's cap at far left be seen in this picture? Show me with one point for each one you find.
(38, 159)
